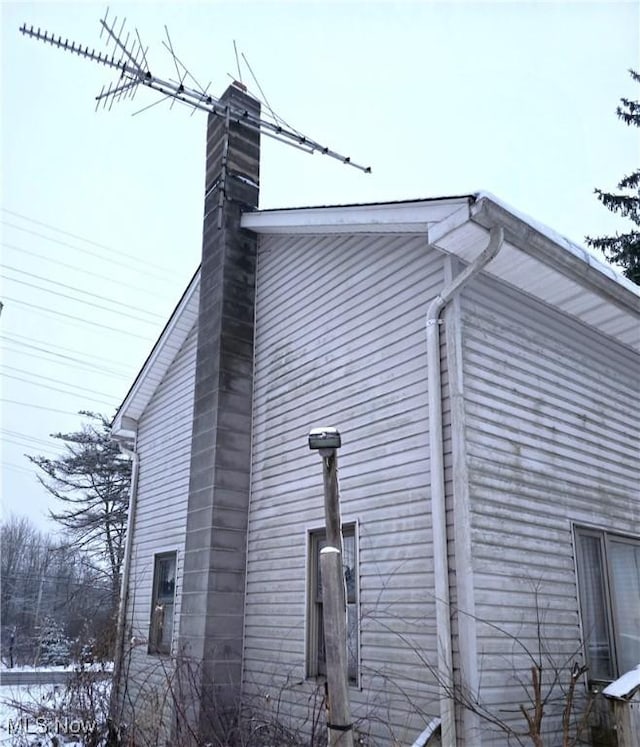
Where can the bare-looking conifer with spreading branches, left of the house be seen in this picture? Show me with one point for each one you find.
(91, 482)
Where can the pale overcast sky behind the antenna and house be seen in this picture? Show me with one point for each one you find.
(101, 211)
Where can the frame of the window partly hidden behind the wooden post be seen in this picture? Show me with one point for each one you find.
(314, 607)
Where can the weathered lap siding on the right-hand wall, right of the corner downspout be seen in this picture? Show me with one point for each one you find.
(552, 439)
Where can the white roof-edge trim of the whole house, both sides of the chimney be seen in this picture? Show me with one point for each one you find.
(410, 216)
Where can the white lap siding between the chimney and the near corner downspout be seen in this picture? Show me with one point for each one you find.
(340, 341)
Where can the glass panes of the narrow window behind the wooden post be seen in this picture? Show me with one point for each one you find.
(315, 634)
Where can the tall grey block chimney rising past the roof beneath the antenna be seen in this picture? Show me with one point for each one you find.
(212, 602)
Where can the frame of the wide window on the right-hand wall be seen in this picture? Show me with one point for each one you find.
(605, 538)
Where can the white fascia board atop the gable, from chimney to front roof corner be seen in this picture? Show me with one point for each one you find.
(408, 217)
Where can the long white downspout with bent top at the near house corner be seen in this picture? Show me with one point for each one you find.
(438, 507)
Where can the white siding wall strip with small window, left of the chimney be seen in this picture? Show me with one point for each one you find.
(163, 447)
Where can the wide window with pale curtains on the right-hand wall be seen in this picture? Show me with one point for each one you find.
(609, 584)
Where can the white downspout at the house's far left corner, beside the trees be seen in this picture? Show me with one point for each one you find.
(124, 445)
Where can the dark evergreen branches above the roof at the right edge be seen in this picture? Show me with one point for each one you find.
(624, 249)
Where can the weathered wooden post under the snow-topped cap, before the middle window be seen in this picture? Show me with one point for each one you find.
(334, 610)
